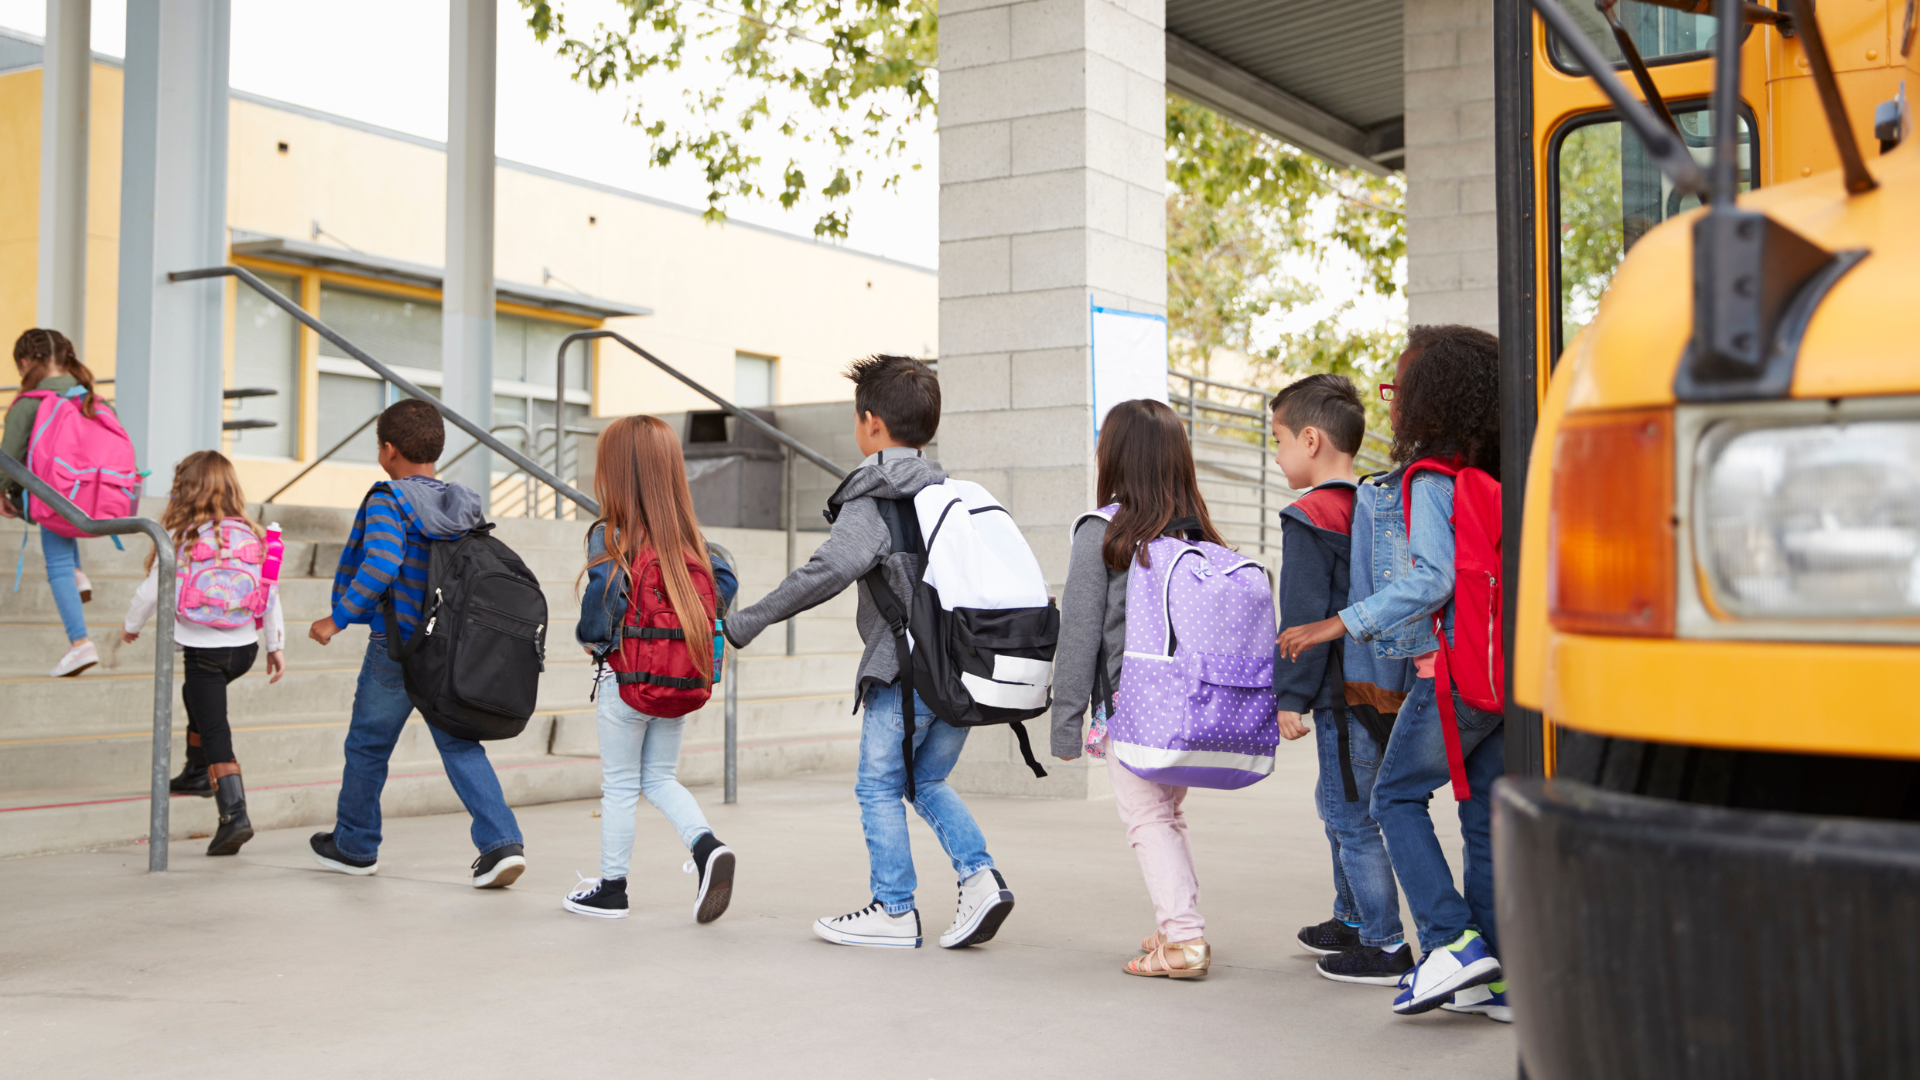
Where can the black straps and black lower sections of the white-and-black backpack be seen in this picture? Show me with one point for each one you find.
(957, 652)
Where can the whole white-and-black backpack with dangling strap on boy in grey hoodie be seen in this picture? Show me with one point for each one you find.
(976, 639)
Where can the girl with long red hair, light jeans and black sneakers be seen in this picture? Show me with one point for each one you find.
(648, 526)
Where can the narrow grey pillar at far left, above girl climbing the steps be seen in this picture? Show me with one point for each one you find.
(66, 91)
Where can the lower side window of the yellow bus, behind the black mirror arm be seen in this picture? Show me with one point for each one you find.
(1610, 193)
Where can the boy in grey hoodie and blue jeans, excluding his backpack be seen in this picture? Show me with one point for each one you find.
(898, 408)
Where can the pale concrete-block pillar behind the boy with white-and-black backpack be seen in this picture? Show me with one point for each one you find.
(1053, 197)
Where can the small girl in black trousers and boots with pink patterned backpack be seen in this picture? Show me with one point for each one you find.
(224, 606)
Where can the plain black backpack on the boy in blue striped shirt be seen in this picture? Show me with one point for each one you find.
(473, 664)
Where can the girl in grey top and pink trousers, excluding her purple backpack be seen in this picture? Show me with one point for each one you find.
(1147, 470)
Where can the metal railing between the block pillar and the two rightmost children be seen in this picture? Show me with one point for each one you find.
(1228, 428)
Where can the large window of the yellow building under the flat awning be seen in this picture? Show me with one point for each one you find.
(406, 335)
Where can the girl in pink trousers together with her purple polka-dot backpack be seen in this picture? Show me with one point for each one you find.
(1151, 529)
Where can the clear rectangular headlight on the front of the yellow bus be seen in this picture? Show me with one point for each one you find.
(1812, 522)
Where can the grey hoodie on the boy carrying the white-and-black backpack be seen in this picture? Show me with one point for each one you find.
(857, 545)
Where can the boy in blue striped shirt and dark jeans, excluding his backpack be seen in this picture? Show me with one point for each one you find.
(387, 554)
